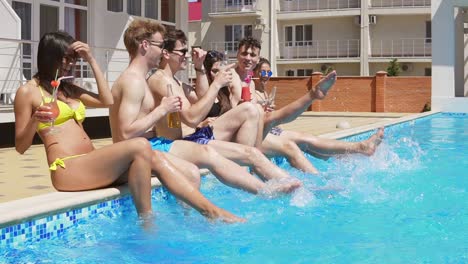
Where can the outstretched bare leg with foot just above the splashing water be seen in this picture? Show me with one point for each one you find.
(324, 146)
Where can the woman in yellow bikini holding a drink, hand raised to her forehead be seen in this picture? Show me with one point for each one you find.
(75, 164)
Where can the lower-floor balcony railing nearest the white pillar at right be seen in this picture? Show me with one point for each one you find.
(392, 48)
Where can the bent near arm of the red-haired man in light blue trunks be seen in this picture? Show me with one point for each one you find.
(130, 124)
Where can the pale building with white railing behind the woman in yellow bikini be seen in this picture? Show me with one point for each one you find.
(100, 23)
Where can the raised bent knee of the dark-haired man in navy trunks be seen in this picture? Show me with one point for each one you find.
(240, 124)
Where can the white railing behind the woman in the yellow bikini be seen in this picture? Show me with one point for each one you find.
(18, 65)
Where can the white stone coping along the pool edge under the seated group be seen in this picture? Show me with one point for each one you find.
(18, 211)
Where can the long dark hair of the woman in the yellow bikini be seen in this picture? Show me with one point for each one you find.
(52, 48)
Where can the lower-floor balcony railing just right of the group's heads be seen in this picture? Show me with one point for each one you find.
(344, 48)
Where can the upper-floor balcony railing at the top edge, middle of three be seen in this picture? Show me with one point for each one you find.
(306, 5)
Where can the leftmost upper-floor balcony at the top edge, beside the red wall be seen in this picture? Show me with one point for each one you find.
(222, 8)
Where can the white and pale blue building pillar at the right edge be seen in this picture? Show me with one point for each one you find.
(450, 64)
